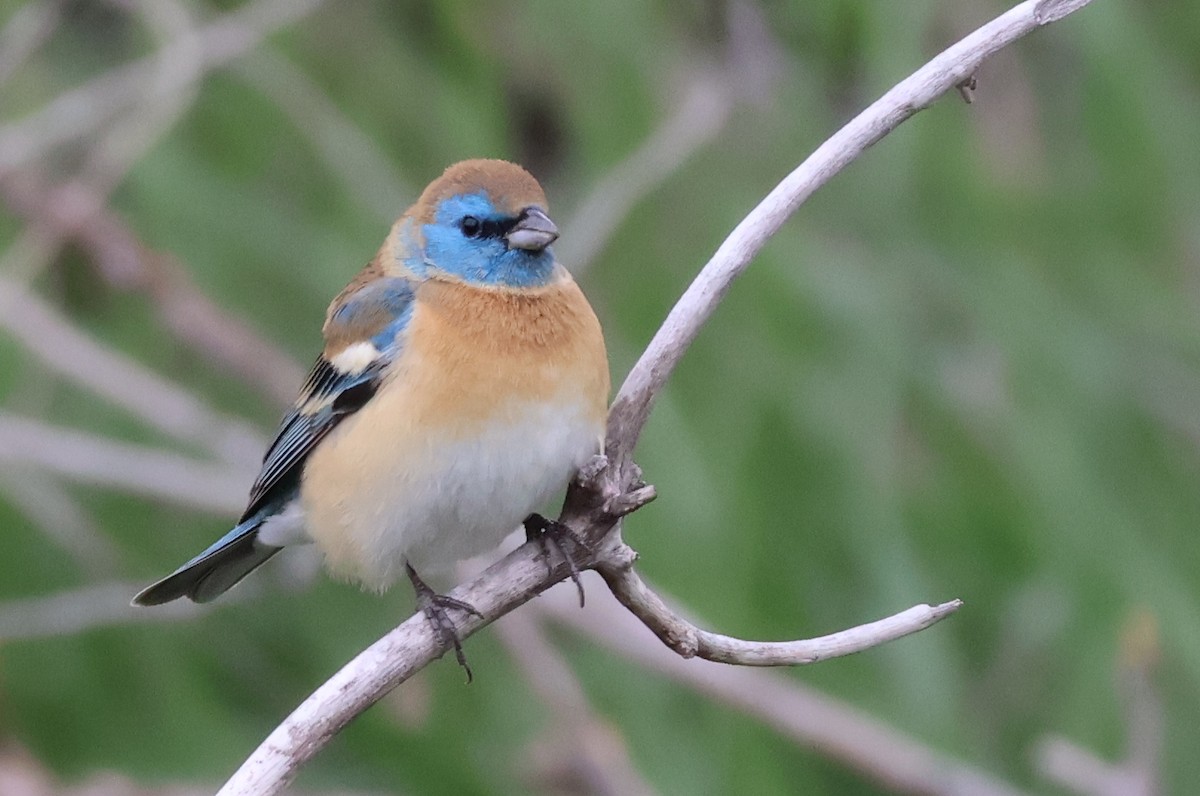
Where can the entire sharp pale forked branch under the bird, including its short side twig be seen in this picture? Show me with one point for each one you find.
(611, 489)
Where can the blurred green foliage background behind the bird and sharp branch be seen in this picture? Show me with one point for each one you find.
(969, 367)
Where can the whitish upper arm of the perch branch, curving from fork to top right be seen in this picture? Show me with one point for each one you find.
(633, 405)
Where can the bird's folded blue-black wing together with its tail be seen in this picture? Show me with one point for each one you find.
(375, 313)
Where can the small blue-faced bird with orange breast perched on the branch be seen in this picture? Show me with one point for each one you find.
(464, 382)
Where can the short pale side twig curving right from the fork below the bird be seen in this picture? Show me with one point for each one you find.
(688, 641)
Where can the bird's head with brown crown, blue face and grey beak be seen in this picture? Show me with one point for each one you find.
(485, 223)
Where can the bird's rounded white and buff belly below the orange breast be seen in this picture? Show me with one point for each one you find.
(446, 498)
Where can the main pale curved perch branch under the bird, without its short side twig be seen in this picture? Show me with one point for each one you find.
(523, 576)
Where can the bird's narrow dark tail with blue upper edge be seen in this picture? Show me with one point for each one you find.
(215, 571)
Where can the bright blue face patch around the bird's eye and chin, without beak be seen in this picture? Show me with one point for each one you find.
(467, 241)
